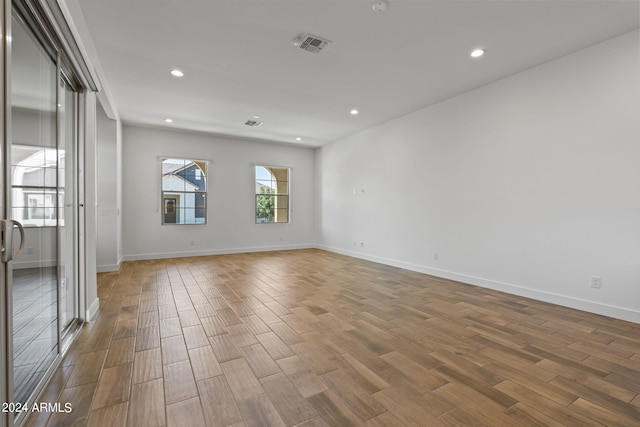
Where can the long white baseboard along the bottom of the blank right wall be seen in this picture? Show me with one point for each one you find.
(559, 299)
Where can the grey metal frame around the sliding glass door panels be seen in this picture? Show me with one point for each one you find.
(50, 19)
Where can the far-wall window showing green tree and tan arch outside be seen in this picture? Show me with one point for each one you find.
(272, 194)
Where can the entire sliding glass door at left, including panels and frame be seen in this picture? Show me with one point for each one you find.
(40, 303)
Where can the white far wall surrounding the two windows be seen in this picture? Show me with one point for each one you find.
(231, 223)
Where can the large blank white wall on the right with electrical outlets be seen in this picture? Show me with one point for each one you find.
(529, 185)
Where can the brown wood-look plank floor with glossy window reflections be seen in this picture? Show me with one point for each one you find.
(311, 338)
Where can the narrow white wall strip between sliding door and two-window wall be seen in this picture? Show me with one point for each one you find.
(108, 180)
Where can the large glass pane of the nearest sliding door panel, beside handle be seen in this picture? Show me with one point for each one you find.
(34, 198)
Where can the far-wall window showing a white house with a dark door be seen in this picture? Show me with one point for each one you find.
(184, 191)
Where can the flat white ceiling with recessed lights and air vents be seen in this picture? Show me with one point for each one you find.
(239, 60)
